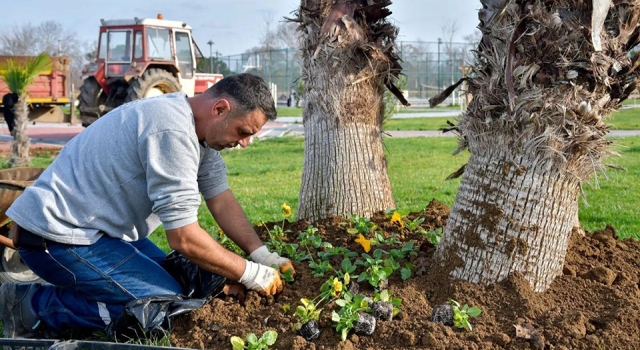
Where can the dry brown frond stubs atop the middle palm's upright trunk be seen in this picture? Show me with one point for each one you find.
(354, 38)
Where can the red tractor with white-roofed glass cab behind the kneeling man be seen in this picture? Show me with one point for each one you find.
(140, 58)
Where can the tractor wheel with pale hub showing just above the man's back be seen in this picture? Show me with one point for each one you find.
(154, 82)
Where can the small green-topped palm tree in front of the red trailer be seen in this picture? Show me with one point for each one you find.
(19, 76)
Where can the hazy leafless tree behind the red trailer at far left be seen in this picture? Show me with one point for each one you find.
(52, 38)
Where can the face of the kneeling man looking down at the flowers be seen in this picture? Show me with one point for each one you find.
(228, 132)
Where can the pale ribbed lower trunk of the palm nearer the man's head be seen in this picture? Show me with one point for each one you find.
(345, 171)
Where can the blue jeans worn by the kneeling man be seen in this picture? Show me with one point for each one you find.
(91, 285)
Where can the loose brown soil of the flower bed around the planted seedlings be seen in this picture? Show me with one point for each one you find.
(593, 305)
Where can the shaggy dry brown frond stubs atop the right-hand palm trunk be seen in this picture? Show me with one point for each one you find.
(547, 75)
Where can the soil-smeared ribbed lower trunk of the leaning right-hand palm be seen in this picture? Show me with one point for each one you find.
(511, 214)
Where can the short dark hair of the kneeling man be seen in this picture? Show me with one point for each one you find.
(248, 91)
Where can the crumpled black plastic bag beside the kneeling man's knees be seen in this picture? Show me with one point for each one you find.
(150, 318)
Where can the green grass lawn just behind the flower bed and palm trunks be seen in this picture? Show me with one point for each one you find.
(268, 173)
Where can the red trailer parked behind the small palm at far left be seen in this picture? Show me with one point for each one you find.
(49, 91)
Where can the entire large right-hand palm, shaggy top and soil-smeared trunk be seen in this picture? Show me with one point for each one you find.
(546, 73)
